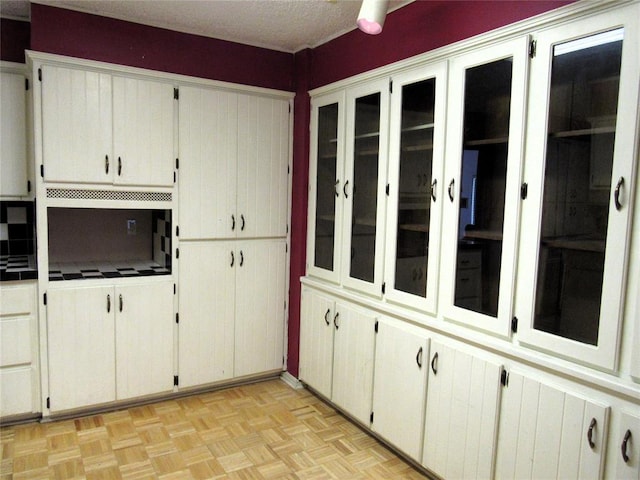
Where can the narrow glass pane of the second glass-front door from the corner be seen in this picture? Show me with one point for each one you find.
(365, 187)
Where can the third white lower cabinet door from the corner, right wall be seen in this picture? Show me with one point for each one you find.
(400, 386)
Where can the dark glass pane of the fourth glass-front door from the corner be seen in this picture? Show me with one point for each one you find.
(482, 186)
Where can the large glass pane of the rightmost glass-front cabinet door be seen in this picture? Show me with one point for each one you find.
(577, 185)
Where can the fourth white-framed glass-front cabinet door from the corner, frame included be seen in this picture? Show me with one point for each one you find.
(482, 191)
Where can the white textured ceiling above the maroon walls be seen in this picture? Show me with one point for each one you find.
(285, 25)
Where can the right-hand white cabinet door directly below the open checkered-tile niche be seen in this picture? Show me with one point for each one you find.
(144, 339)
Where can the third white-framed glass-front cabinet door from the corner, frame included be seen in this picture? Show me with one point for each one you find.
(416, 149)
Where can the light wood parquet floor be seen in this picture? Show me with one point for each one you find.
(265, 430)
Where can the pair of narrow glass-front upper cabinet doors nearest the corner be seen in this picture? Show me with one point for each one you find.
(348, 178)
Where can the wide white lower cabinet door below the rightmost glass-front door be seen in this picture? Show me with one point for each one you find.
(548, 433)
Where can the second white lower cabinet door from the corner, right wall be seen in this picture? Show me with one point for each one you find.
(353, 352)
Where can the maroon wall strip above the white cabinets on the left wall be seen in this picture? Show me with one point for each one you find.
(66, 32)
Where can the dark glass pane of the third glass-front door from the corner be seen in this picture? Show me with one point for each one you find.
(414, 196)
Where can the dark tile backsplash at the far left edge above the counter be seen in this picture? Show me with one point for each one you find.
(17, 228)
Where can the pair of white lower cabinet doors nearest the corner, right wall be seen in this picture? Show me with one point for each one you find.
(337, 352)
